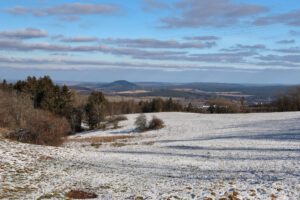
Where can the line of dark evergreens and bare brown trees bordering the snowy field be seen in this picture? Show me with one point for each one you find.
(39, 105)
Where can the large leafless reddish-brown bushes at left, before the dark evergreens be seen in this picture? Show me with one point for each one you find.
(30, 125)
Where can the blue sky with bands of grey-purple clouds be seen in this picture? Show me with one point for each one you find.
(232, 41)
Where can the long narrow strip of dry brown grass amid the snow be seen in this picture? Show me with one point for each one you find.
(101, 139)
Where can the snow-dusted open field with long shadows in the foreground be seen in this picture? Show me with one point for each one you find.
(196, 156)
